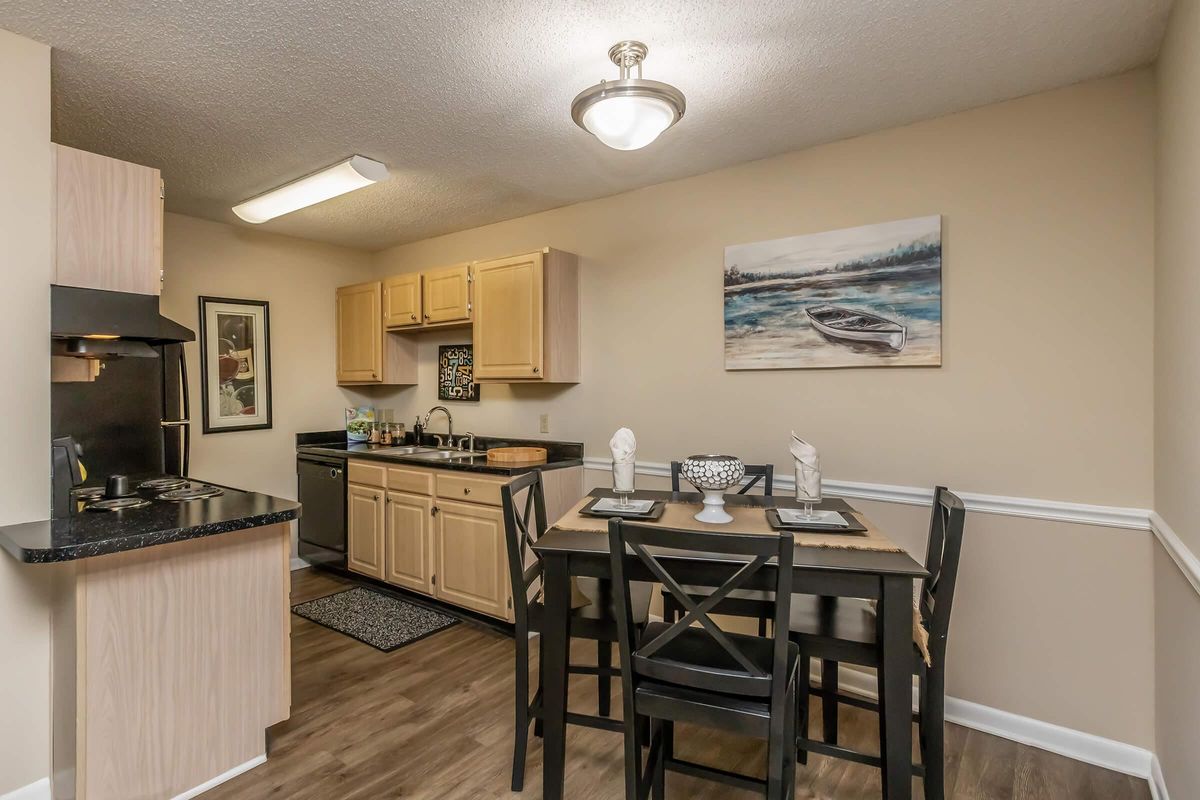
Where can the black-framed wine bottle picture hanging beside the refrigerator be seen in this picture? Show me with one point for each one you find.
(236, 365)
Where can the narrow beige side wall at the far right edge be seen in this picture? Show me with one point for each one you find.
(1178, 395)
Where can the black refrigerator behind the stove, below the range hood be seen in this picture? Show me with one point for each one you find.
(133, 419)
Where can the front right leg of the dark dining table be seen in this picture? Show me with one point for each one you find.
(895, 621)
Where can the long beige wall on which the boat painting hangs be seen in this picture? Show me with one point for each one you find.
(1048, 206)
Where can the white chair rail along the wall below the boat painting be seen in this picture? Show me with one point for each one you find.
(1028, 508)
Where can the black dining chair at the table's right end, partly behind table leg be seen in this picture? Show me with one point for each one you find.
(844, 631)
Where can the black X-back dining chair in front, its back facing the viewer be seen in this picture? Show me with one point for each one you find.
(676, 672)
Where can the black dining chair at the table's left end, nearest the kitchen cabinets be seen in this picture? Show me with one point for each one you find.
(596, 622)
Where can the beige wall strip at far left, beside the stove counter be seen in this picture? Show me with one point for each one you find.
(26, 404)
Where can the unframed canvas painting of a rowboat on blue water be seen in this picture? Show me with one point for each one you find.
(862, 297)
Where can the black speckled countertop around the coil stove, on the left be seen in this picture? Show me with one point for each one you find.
(88, 534)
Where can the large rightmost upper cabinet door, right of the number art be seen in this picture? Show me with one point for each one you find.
(508, 330)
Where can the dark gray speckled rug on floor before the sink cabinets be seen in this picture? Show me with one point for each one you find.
(373, 618)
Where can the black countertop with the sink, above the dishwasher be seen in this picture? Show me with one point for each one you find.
(333, 444)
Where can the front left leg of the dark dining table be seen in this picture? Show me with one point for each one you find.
(556, 649)
